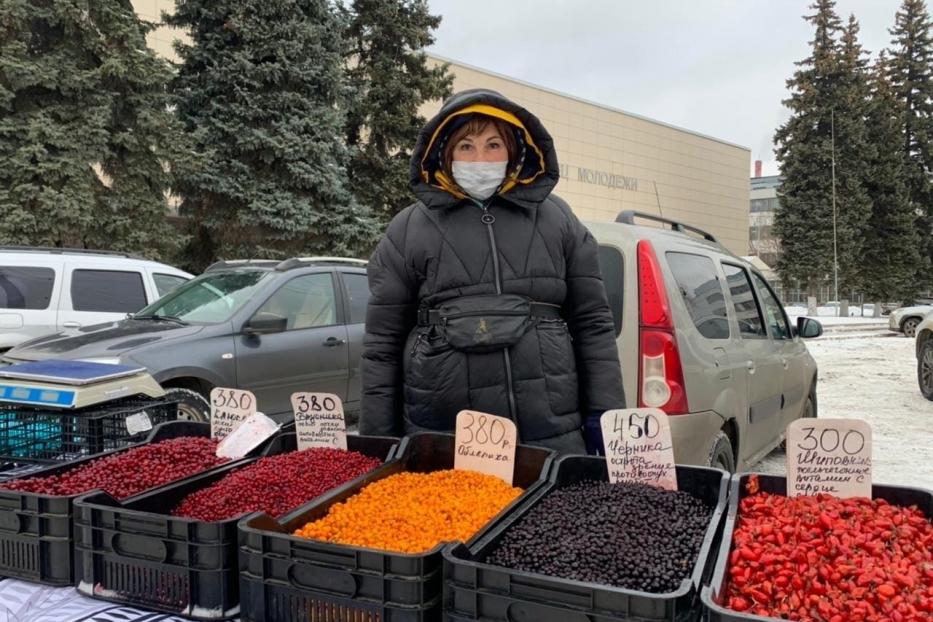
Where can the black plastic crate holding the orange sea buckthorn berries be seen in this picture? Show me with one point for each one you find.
(284, 578)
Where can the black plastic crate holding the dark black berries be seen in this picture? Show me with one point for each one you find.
(475, 590)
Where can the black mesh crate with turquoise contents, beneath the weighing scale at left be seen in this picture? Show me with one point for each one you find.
(49, 435)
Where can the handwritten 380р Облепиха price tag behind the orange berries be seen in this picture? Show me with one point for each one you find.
(486, 444)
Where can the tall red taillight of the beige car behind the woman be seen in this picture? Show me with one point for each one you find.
(660, 373)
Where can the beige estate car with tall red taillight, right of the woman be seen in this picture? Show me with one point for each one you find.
(703, 336)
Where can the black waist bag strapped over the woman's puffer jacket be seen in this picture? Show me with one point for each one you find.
(486, 323)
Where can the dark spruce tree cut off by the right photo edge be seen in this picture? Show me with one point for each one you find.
(910, 72)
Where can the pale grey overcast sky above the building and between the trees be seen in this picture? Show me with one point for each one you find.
(713, 66)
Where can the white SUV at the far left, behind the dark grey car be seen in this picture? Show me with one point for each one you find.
(45, 290)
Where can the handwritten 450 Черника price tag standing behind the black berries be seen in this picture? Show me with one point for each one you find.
(638, 447)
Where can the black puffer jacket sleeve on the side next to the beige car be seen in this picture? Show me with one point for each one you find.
(586, 310)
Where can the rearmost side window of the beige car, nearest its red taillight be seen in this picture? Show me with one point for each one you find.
(702, 293)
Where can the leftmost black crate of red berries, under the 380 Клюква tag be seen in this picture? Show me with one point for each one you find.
(36, 537)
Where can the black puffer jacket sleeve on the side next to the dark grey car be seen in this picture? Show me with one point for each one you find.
(390, 316)
